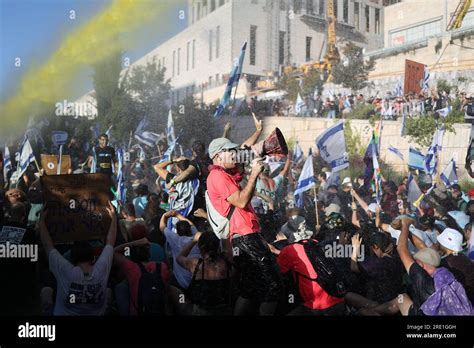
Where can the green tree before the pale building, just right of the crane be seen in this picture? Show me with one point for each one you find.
(352, 70)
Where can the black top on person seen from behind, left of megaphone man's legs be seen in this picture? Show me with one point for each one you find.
(210, 296)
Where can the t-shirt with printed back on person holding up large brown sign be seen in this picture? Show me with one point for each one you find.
(88, 289)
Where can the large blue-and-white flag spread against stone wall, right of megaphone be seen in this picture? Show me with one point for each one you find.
(332, 147)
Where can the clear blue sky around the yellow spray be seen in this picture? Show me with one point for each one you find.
(32, 29)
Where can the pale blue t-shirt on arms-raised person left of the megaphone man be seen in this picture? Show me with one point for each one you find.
(176, 244)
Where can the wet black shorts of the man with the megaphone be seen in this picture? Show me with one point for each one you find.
(259, 277)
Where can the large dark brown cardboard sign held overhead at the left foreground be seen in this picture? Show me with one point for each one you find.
(76, 206)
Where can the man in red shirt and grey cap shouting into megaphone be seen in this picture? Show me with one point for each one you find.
(260, 280)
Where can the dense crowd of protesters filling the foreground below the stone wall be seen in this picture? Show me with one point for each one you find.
(338, 254)
